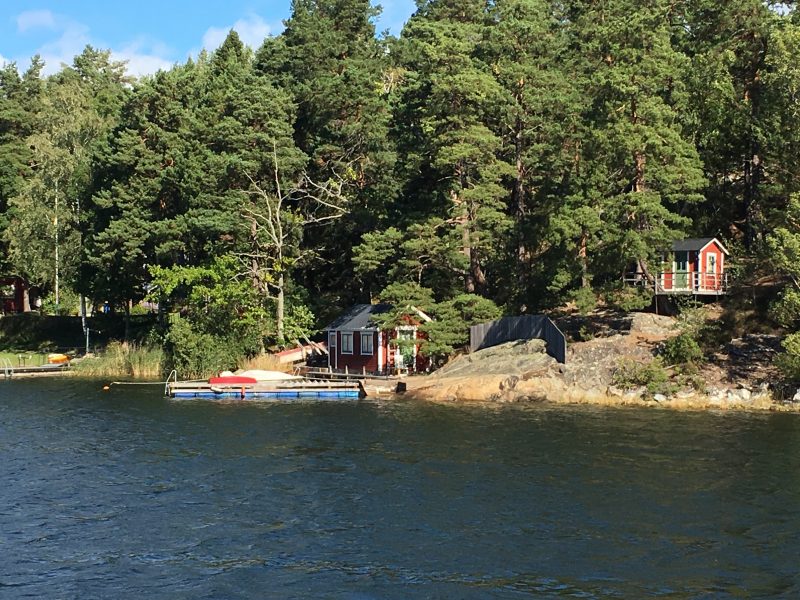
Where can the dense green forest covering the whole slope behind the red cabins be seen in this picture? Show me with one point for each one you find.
(500, 156)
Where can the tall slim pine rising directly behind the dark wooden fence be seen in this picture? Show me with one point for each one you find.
(540, 126)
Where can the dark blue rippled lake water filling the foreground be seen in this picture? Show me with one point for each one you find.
(124, 494)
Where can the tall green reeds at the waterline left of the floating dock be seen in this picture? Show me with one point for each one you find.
(122, 360)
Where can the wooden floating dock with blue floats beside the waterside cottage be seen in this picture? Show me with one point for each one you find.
(267, 390)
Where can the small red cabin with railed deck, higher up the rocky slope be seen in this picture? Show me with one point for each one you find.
(693, 266)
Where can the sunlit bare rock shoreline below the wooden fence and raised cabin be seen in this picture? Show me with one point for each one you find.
(522, 372)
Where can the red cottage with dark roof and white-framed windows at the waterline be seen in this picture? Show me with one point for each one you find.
(357, 344)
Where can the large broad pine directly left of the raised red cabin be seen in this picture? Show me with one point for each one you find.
(640, 171)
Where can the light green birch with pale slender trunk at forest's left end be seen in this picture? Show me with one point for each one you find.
(79, 107)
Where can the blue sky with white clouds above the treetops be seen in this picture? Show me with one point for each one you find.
(149, 34)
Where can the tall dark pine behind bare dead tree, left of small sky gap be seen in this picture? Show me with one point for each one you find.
(335, 68)
